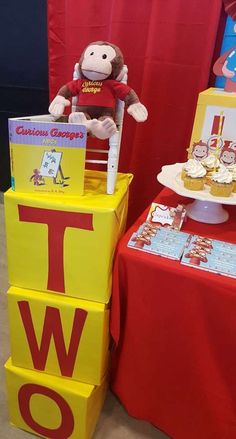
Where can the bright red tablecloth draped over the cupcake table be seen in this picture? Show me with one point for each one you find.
(174, 327)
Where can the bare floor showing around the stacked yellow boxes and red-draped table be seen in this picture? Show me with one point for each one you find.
(114, 422)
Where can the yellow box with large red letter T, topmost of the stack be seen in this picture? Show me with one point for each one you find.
(66, 245)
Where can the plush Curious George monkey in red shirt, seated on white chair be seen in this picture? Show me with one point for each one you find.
(100, 69)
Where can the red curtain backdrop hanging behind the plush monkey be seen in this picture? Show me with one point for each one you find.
(168, 47)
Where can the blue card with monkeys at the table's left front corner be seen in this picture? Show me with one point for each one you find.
(158, 240)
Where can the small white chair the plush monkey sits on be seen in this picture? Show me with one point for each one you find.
(111, 154)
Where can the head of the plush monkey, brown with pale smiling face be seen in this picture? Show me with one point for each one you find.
(100, 61)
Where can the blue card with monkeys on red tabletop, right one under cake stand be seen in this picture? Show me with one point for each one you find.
(211, 255)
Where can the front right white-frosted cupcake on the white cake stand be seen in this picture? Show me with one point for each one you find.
(221, 182)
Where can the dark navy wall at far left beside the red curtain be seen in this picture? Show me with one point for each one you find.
(23, 68)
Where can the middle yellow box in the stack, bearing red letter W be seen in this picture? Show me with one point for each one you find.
(59, 335)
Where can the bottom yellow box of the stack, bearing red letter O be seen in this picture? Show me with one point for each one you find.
(52, 407)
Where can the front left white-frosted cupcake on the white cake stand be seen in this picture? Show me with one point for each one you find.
(195, 176)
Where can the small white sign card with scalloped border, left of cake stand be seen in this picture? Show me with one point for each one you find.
(166, 216)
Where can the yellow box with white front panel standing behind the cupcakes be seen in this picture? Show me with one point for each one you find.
(214, 126)
